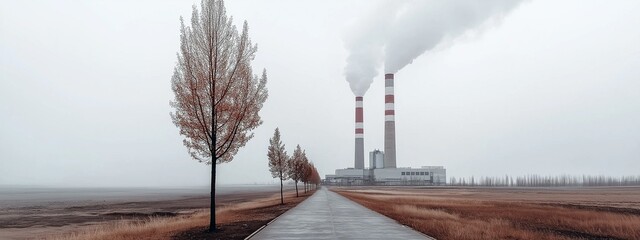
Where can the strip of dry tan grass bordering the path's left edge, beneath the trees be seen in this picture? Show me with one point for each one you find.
(236, 220)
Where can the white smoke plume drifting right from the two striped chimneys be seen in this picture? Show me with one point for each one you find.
(398, 32)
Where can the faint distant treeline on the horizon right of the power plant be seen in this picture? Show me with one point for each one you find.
(546, 181)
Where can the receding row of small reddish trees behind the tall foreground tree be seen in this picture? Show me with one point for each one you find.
(296, 167)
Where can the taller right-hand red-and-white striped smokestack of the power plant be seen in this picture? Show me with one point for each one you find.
(389, 123)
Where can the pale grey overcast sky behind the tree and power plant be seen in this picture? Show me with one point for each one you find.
(550, 87)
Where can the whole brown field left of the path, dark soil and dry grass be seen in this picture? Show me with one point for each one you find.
(166, 215)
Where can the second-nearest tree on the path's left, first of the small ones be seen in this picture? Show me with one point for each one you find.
(278, 160)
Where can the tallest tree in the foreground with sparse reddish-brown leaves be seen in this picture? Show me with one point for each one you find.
(217, 97)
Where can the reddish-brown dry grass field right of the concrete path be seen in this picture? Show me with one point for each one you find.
(508, 213)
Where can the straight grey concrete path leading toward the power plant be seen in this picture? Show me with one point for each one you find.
(327, 215)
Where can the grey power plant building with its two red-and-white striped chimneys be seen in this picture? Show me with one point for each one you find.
(382, 165)
